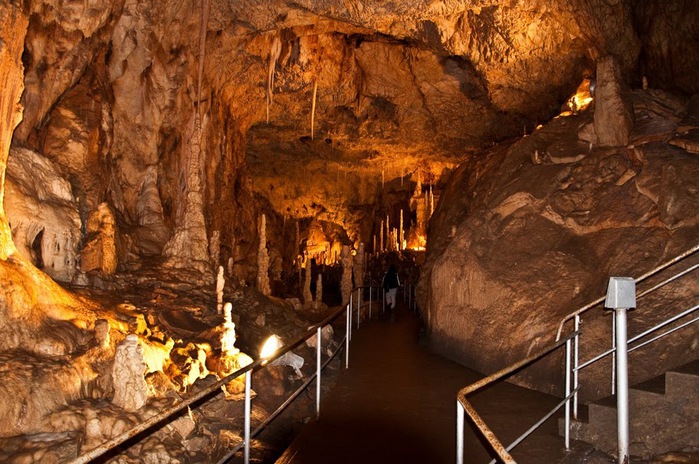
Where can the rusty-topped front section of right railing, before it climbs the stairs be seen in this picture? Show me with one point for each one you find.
(464, 406)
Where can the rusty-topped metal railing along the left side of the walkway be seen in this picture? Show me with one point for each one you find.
(209, 392)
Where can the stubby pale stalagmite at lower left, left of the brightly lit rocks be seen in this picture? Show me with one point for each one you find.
(130, 387)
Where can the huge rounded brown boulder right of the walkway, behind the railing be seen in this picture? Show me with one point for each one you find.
(515, 246)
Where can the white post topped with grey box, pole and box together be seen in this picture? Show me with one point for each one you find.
(621, 296)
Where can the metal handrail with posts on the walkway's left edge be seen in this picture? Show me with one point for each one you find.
(215, 388)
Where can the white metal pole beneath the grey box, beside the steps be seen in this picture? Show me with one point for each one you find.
(622, 397)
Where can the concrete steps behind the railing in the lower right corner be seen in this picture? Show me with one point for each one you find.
(664, 416)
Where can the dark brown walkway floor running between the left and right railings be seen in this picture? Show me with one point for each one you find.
(397, 404)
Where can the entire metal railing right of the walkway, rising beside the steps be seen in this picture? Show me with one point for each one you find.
(572, 364)
